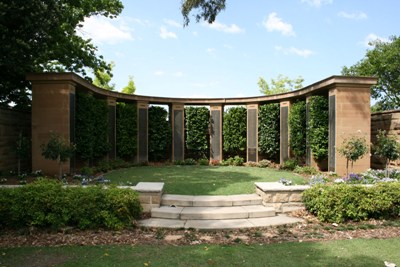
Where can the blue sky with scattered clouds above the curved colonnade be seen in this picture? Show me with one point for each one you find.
(250, 39)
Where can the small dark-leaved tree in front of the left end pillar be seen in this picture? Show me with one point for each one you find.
(58, 149)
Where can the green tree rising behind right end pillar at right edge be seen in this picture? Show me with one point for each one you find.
(383, 61)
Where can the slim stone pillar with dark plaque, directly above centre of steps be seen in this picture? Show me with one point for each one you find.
(216, 118)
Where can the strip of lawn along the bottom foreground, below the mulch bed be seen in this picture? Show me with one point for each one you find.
(357, 252)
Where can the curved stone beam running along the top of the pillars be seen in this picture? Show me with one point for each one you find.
(320, 87)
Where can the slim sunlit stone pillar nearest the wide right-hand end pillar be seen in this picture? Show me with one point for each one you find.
(284, 135)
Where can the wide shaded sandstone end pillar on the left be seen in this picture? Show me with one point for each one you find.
(53, 110)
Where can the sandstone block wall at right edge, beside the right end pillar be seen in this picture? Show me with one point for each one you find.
(390, 122)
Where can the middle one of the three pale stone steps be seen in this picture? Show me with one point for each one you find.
(212, 213)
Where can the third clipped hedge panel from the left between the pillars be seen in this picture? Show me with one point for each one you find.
(159, 134)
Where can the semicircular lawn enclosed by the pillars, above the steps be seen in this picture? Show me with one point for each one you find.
(202, 180)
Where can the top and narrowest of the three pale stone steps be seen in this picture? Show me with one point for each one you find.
(211, 201)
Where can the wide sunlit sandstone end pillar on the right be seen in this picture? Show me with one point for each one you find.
(349, 115)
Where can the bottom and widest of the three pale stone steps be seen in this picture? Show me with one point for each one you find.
(280, 219)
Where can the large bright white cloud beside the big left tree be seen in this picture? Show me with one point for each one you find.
(103, 30)
